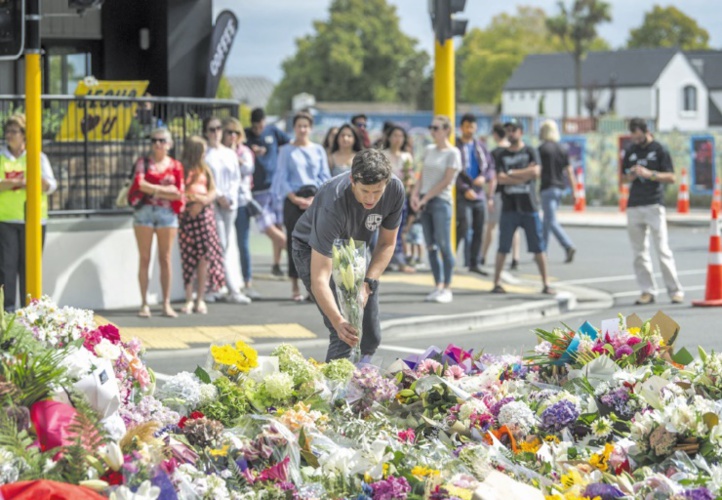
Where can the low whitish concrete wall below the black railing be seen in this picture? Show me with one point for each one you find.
(93, 264)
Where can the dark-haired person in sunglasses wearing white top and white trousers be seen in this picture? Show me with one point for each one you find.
(227, 176)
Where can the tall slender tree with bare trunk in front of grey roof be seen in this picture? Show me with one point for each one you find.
(577, 28)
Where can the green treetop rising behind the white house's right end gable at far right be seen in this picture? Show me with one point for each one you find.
(668, 27)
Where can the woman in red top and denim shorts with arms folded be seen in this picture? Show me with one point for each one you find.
(158, 200)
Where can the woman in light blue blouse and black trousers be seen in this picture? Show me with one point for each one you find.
(302, 168)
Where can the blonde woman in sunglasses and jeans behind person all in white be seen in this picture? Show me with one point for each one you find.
(234, 138)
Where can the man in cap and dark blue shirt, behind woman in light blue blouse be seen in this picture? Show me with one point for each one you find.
(264, 140)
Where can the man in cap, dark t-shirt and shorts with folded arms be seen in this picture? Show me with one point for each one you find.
(517, 169)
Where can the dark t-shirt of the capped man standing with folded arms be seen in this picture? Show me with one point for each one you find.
(518, 197)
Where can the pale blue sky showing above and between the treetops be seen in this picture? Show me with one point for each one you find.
(268, 29)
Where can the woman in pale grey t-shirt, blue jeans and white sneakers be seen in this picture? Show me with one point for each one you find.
(432, 194)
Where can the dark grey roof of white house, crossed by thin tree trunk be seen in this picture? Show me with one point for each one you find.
(629, 68)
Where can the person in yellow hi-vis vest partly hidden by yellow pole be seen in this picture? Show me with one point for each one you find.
(13, 166)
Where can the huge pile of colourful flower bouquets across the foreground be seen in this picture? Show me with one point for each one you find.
(591, 413)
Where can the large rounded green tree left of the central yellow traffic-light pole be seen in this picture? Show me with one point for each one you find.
(358, 54)
